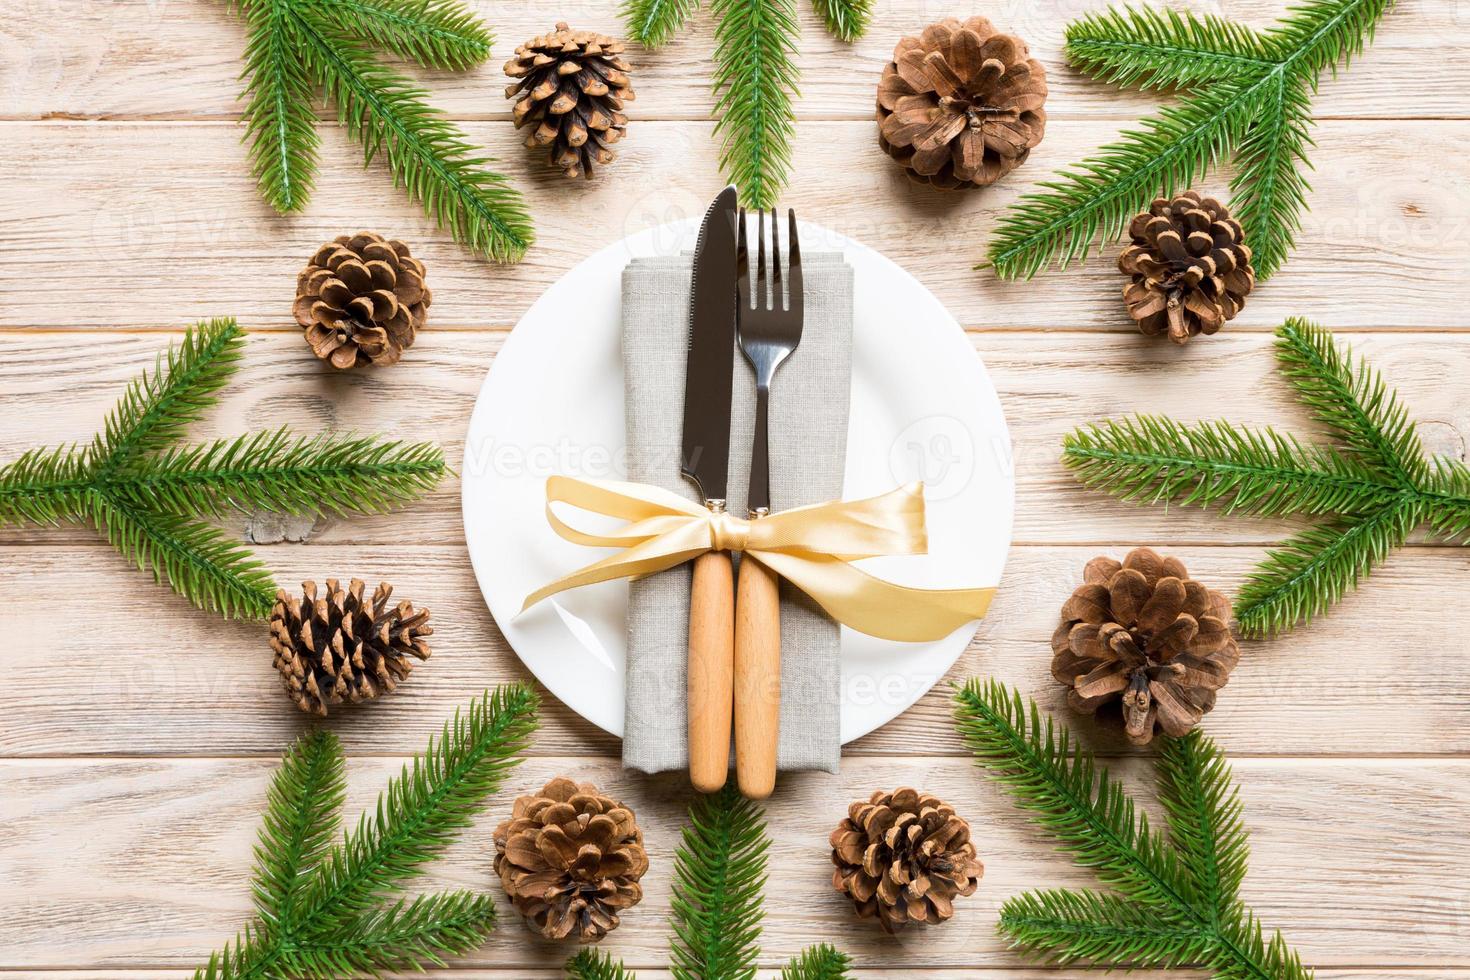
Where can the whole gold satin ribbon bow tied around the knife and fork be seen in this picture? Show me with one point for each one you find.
(811, 547)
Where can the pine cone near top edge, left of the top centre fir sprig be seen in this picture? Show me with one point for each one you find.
(573, 87)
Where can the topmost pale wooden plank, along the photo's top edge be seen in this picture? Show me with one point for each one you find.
(180, 60)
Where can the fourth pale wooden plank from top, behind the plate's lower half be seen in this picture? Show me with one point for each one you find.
(102, 662)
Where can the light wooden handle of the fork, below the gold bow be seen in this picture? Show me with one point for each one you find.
(758, 680)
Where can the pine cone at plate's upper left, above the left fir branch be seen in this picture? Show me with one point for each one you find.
(362, 300)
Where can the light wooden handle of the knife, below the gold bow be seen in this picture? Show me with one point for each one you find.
(712, 663)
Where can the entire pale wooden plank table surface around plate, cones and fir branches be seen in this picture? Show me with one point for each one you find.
(137, 734)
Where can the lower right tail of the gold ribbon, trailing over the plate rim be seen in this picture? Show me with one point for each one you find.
(877, 608)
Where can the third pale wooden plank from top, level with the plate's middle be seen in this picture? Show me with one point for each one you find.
(58, 390)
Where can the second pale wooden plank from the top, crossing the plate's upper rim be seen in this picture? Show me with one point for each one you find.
(159, 224)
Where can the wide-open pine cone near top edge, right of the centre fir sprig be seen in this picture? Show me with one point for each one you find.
(962, 105)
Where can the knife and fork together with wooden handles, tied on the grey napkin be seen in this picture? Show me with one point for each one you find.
(734, 669)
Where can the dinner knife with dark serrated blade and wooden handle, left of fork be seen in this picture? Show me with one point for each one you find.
(706, 462)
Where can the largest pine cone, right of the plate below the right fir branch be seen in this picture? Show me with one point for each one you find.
(1144, 646)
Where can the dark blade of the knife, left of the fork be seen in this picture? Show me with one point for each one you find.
(712, 352)
